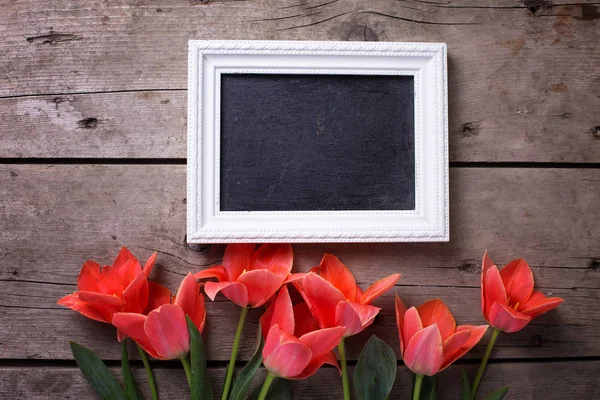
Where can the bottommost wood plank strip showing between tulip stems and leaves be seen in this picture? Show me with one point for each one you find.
(528, 381)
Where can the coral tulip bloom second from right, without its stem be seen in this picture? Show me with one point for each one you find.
(430, 340)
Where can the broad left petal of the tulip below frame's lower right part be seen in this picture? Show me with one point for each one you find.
(322, 298)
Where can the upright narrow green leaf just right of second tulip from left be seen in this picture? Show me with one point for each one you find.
(200, 387)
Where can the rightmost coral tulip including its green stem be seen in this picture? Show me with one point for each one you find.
(509, 302)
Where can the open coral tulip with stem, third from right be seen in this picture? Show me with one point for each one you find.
(335, 299)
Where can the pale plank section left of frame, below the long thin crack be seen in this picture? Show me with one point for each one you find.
(147, 124)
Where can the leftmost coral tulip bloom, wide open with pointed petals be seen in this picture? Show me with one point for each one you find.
(104, 291)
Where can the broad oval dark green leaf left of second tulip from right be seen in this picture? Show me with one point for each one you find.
(375, 371)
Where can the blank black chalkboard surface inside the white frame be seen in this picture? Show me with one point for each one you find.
(317, 142)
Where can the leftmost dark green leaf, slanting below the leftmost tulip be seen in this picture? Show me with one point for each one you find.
(96, 373)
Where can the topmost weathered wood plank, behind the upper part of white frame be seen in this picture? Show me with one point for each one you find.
(523, 75)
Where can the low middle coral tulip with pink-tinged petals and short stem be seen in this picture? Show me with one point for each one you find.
(294, 347)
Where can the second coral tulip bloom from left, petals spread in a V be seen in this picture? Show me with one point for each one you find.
(163, 333)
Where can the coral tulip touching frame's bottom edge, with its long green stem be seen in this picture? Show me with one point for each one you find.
(249, 278)
